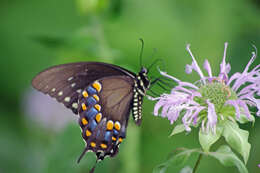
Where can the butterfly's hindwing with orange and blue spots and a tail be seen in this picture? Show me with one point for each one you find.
(104, 112)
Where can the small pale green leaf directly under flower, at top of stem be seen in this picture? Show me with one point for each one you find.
(208, 139)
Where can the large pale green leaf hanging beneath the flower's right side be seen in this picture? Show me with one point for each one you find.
(237, 138)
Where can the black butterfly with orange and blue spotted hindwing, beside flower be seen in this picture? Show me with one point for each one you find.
(103, 95)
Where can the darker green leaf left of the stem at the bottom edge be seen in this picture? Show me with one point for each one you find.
(179, 157)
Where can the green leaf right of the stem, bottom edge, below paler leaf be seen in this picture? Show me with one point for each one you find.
(226, 157)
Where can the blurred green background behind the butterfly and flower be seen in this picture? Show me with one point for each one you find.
(36, 34)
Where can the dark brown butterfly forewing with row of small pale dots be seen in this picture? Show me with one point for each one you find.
(65, 82)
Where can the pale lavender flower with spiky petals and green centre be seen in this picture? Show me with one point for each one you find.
(213, 98)
